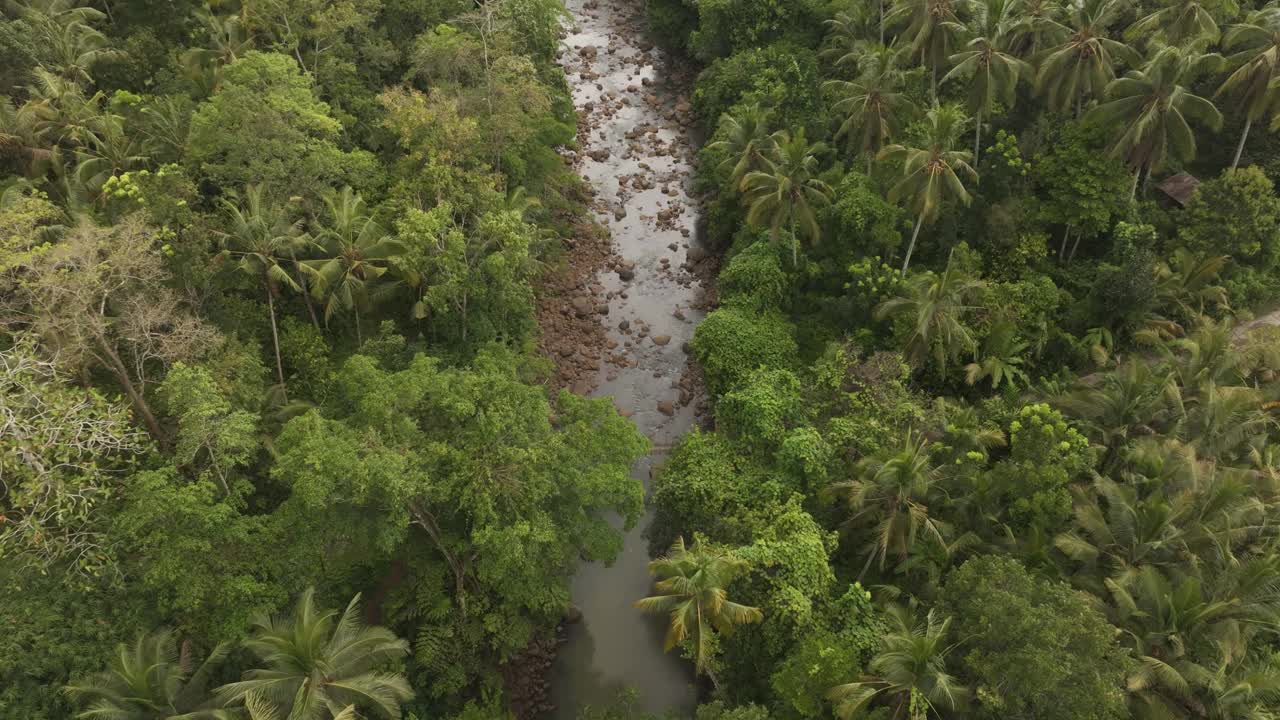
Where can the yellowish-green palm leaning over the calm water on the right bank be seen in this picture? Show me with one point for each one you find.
(693, 591)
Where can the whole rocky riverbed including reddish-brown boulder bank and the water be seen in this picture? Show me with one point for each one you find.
(618, 323)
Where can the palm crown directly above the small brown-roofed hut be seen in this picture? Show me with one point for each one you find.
(1151, 108)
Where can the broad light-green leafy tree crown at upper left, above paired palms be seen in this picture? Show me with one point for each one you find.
(266, 126)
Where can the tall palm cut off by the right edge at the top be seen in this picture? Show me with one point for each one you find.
(1256, 62)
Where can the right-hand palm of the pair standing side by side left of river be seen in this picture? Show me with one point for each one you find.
(359, 252)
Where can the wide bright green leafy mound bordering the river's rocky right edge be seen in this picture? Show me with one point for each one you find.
(733, 343)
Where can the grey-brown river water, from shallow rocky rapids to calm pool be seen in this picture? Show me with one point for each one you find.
(619, 88)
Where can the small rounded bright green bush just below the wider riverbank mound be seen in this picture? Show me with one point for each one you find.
(762, 408)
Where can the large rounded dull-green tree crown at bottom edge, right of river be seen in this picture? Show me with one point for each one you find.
(1035, 648)
